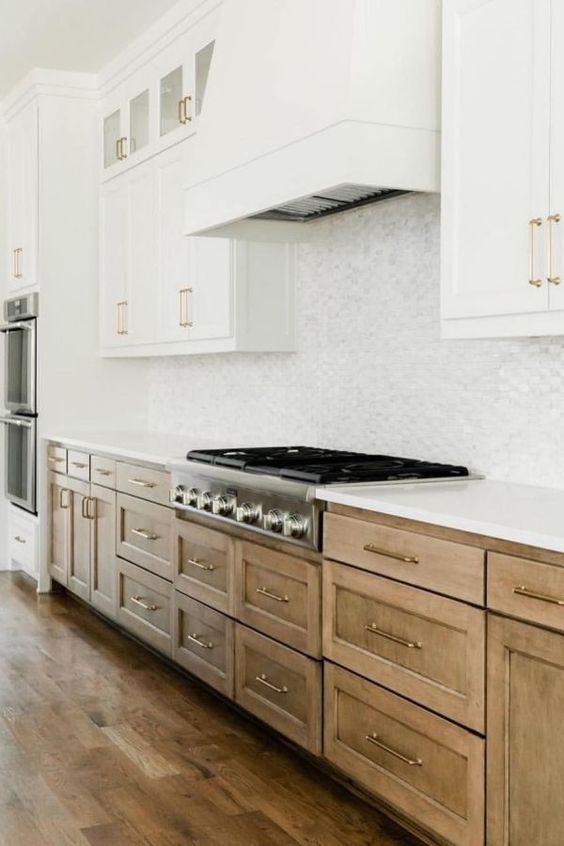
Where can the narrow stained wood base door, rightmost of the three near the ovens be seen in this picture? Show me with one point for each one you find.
(103, 550)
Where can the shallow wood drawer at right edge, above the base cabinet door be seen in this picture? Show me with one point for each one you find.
(528, 589)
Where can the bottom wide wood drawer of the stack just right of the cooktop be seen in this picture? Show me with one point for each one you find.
(428, 768)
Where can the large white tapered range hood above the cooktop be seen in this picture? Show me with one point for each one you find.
(314, 106)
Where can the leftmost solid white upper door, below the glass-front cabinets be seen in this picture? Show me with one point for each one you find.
(114, 282)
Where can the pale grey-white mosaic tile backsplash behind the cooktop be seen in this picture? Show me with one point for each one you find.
(370, 371)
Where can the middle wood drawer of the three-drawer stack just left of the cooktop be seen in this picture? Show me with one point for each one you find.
(144, 534)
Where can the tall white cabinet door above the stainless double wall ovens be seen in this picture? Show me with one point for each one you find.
(23, 197)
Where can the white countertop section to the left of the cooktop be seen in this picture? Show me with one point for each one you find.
(152, 447)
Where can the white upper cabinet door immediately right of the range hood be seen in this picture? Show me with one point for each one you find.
(496, 127)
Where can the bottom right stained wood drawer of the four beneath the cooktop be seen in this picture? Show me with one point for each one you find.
(279, 686)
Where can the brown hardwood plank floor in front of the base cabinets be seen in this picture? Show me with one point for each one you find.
(103, 745)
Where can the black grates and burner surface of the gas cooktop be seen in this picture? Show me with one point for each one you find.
(325, 466)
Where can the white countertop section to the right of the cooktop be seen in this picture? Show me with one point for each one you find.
(525, 514)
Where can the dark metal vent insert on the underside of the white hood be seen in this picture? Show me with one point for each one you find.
(340, 198)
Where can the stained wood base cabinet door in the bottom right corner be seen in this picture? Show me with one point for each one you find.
(525, 759)
